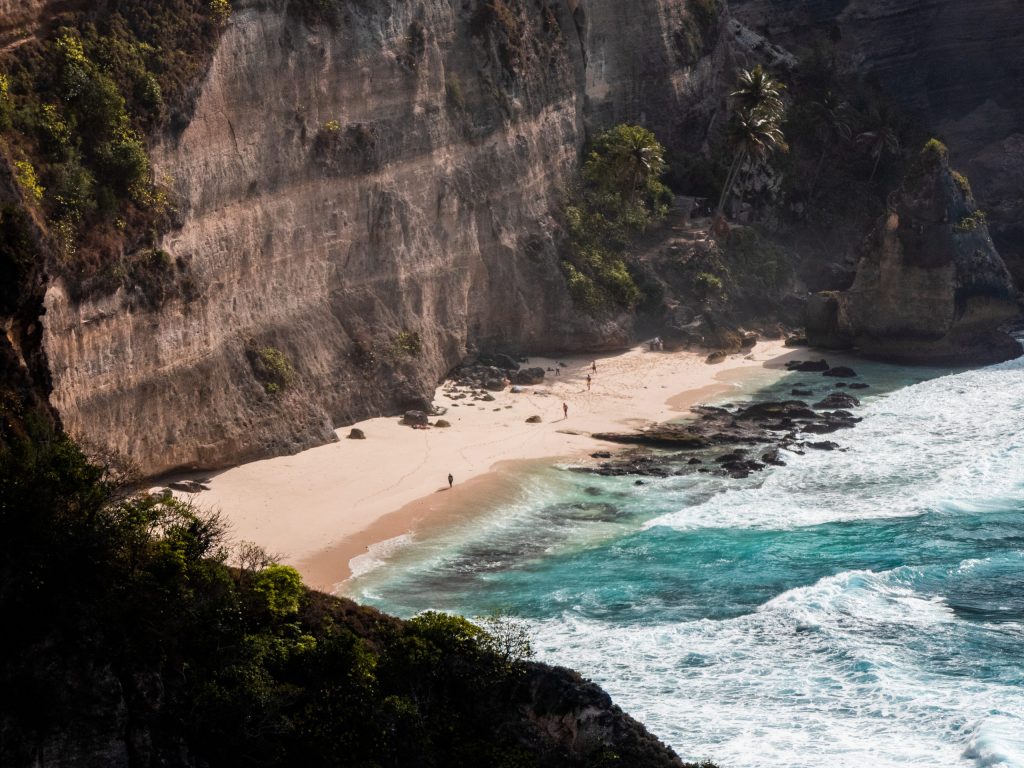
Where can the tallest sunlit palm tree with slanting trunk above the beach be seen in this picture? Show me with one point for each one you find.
(755, 131)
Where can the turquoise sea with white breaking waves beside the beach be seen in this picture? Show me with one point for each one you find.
(856, 609)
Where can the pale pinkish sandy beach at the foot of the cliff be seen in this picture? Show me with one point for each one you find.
(319, 509)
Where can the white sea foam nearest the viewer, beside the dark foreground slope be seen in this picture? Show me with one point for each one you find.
(836, 674)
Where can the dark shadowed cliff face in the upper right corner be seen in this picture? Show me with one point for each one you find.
(956, 65)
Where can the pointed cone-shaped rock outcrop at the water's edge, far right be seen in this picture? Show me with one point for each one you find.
(931, 287)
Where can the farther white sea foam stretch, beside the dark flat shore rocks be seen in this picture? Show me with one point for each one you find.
(945, 444)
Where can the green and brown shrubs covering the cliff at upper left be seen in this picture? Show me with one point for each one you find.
(77, 103)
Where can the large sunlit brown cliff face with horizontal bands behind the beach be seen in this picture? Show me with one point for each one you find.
(368, 195)
